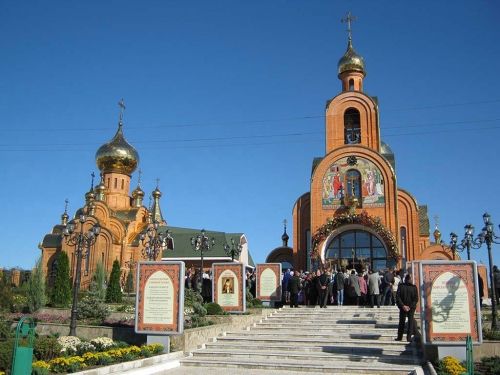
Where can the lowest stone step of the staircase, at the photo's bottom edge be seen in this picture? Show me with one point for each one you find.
(301, 366)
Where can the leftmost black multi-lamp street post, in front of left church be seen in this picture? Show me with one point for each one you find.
(82, 242)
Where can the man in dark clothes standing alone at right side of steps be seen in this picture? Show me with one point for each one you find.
(406, 299)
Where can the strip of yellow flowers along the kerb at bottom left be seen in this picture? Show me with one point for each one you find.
(89, 359)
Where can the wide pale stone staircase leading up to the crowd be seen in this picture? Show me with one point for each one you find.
(336, 340)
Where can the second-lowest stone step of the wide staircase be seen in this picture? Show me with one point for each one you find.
(263, 354)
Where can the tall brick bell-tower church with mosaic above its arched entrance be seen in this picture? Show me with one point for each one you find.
(355, 215)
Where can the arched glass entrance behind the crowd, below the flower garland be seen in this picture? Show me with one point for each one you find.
(357, 249)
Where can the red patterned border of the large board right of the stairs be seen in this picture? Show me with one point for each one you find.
(466, 272)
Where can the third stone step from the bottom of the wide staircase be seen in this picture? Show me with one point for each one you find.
(314, 347)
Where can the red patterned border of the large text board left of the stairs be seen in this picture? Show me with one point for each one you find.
(144, 273)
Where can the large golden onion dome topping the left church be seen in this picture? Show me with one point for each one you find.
(117, 156)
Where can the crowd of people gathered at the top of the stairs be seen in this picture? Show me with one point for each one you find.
(343, 287)
